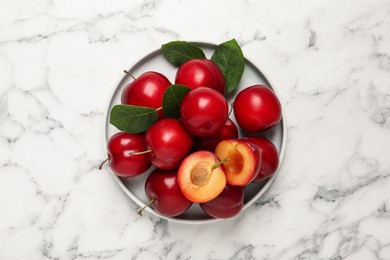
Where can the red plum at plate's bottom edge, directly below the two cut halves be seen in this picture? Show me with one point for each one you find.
(228, 204)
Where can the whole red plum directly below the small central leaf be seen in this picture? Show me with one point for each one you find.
(169, 142)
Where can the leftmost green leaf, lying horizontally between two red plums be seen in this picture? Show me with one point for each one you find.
(133, 119)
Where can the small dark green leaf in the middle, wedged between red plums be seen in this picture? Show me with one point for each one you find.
(172, 99)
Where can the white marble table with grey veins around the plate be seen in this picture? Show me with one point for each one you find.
(329, 60)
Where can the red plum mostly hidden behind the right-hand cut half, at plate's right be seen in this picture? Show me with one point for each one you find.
(270, 157)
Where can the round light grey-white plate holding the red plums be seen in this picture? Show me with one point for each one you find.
(134, 187)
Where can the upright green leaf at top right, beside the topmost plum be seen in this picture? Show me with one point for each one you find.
(230, 59)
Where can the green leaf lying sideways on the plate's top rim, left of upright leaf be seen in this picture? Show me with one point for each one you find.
(178, 52)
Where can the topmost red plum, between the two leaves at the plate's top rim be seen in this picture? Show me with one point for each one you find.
(201, 73)
